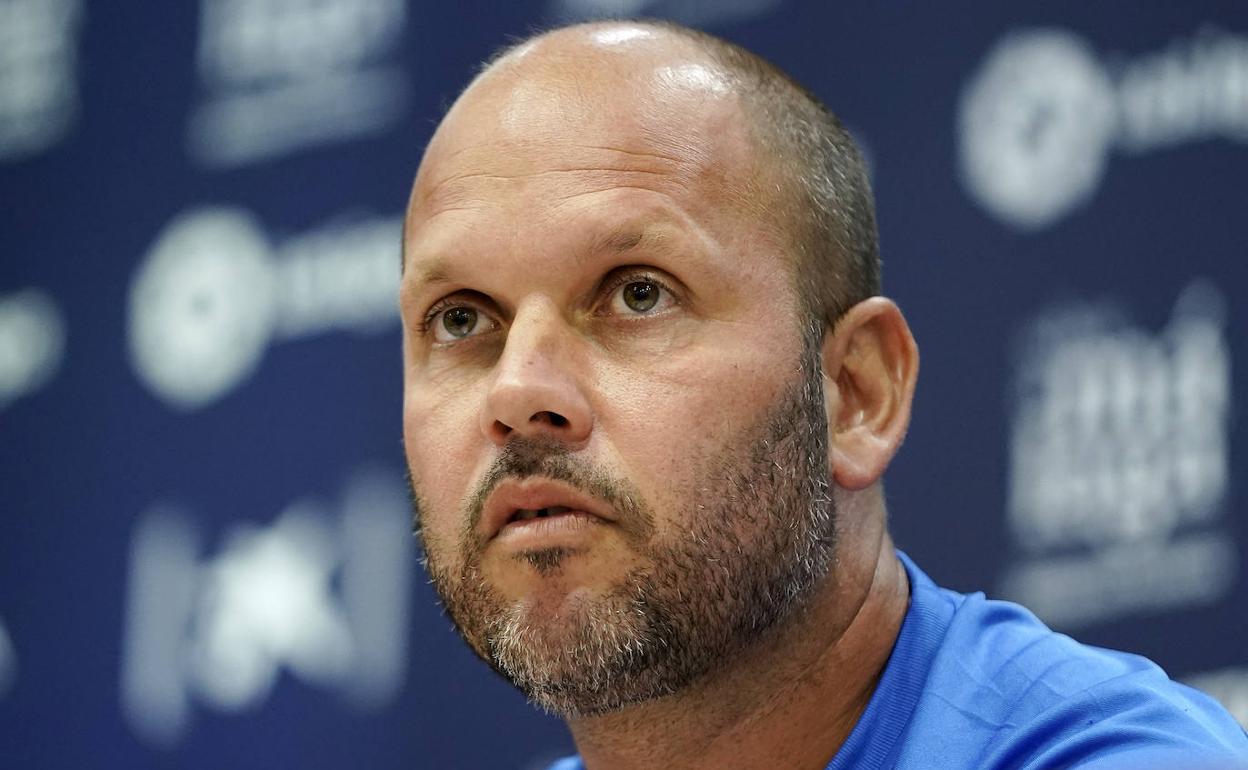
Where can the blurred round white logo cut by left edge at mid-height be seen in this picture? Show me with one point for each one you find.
(32, 343)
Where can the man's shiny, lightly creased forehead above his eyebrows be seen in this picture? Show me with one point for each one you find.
(588, 117)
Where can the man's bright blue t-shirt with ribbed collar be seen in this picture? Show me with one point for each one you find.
(975, 683)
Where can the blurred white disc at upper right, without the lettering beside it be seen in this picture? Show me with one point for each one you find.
(1036, 124)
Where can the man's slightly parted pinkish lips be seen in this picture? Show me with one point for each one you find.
(519, 504)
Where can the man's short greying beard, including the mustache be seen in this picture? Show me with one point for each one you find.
(758, 539)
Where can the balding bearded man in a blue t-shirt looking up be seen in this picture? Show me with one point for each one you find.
(651, 394)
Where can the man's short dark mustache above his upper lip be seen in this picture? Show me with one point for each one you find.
(525, 459)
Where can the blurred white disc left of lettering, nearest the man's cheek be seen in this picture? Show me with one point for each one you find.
(202, 306)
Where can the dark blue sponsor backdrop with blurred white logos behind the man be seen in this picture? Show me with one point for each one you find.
(205, 558)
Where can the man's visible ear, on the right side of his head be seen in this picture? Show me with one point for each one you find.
(870, 365)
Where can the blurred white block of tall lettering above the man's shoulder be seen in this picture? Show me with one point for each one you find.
(1120, 464)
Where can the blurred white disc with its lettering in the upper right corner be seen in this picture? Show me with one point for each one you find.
(1040, 118)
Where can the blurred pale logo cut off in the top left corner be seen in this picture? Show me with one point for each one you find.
(39, 93)
